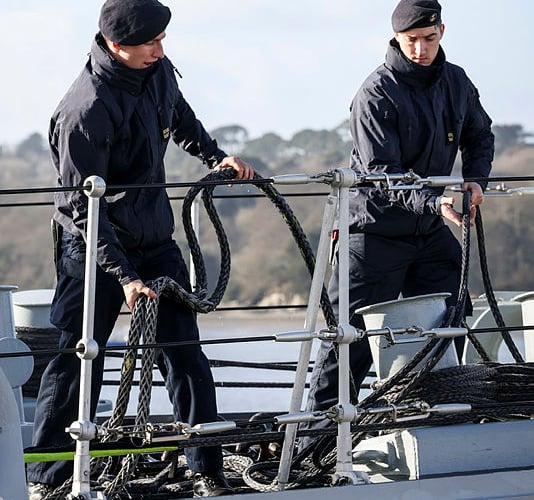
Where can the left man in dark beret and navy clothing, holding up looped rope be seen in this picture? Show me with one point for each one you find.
(116, 122)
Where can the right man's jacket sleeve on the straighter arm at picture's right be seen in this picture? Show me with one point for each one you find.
(476, 139)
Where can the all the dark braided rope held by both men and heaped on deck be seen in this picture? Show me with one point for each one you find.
(490, 388)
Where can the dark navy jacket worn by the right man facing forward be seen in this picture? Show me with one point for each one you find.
(411, 117)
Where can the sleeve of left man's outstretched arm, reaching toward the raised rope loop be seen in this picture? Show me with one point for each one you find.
(189, 133)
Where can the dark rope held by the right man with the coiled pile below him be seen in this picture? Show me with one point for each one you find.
(475, 384)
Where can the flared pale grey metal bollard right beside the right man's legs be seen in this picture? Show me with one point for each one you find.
(423, 311)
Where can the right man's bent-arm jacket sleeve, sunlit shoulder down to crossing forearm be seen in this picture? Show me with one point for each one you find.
(377, 150)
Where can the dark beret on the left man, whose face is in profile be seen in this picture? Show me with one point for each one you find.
(133, 22)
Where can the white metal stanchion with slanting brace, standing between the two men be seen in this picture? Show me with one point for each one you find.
(340, 180)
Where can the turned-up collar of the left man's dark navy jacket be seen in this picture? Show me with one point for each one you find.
(114, 72)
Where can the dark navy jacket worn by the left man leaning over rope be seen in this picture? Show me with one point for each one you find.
(116, 122)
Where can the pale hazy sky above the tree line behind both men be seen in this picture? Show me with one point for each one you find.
(268, 65)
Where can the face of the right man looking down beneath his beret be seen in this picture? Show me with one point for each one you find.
(421, 44)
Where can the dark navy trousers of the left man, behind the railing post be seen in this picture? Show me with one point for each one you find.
(188, 376)
